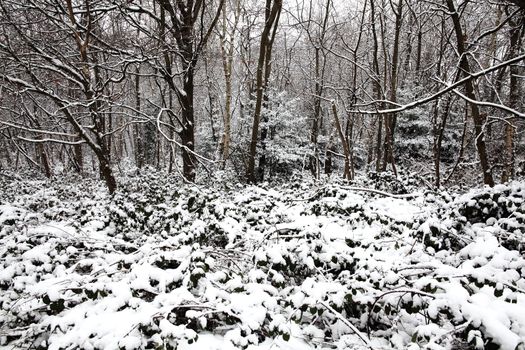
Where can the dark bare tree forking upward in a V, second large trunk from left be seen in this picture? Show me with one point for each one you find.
(178, 40)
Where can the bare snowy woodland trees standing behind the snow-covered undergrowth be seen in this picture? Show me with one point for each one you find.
(255, 89)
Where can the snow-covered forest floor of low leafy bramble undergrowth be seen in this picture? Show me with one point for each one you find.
(161, 265)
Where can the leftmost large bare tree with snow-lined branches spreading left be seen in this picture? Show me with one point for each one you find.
(54, 59)
